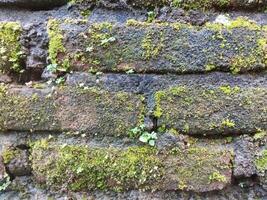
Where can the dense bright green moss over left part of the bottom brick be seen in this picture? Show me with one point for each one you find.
(101, 168)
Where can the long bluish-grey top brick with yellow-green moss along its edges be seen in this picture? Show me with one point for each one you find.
(157, 48)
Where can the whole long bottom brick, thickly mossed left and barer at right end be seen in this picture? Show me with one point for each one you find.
(83, 168)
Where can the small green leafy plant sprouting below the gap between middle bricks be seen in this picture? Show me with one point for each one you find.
(143, 135)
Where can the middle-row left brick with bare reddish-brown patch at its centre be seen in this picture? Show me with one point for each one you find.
(70, 109)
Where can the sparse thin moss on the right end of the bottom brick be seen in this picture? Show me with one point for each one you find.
(192, 165)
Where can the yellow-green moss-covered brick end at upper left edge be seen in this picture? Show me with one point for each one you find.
(10, 48)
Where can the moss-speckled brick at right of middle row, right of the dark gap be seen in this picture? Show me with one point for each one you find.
(212, 110)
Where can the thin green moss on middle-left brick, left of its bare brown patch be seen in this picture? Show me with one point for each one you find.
(24, 112)
